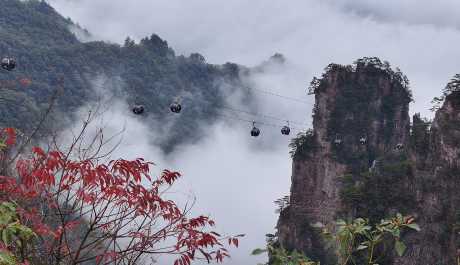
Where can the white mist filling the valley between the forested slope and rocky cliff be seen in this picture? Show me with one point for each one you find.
(234, 177)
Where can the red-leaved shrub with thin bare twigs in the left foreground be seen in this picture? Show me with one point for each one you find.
(81, 210)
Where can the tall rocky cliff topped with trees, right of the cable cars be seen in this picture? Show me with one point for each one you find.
(364, 158)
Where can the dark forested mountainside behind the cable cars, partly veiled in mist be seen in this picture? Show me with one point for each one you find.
(148, 73)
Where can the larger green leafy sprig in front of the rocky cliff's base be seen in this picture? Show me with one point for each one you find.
(357, 241)
